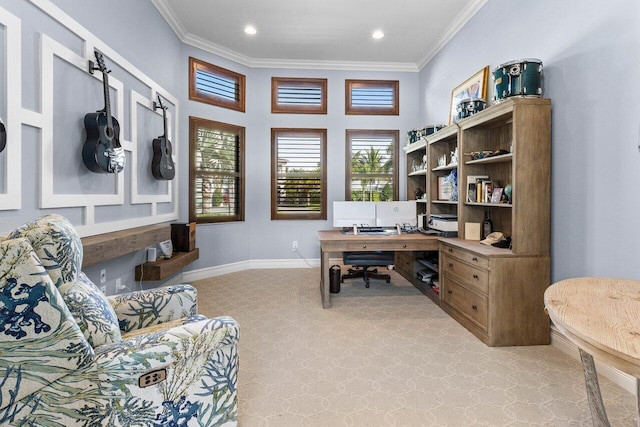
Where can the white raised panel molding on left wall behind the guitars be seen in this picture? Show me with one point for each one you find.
(44, 120)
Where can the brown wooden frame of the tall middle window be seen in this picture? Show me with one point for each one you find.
(322, 215)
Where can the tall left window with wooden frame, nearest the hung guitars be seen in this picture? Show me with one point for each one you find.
(216, 171)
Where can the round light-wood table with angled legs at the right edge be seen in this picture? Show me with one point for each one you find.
(602, 317)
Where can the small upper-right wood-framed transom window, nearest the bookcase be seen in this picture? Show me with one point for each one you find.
(372, 97)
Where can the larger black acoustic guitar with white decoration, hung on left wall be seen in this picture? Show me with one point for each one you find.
(102, 152)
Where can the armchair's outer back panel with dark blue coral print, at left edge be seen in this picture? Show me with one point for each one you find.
(39, 339)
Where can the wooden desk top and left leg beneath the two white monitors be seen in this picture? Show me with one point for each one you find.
(336, 241)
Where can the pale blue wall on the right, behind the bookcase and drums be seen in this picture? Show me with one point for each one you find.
(591, 67)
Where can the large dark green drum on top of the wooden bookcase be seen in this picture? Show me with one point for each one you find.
(518, 78)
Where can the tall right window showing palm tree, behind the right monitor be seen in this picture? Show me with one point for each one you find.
(372, 165)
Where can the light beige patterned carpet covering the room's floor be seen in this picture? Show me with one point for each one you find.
(386, 356)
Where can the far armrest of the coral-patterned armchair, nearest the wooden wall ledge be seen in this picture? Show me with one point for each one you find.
(142, 309)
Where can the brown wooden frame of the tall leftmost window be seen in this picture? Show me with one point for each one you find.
(194, 123)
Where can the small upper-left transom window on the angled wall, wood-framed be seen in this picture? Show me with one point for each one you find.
(216, 85)
